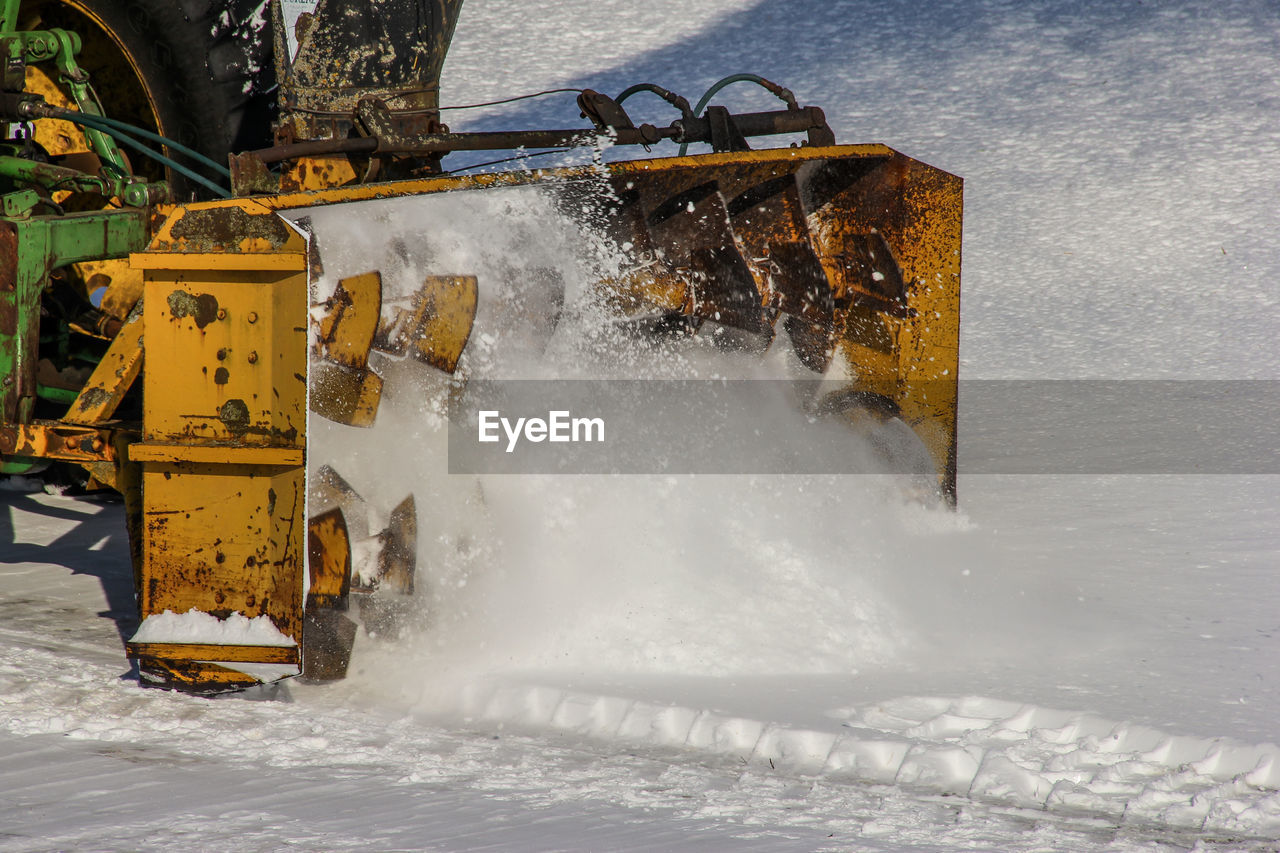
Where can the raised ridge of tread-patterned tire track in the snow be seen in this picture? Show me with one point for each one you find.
(990, 751)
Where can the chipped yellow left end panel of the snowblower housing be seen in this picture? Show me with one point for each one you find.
(225, 427)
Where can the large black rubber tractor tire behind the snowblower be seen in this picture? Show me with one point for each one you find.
(198, 72)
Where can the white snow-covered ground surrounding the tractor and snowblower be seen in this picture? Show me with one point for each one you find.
(1069, 663)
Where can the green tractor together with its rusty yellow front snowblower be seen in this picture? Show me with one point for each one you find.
(246, 320)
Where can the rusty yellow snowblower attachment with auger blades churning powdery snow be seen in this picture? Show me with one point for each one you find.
(848, 256)
